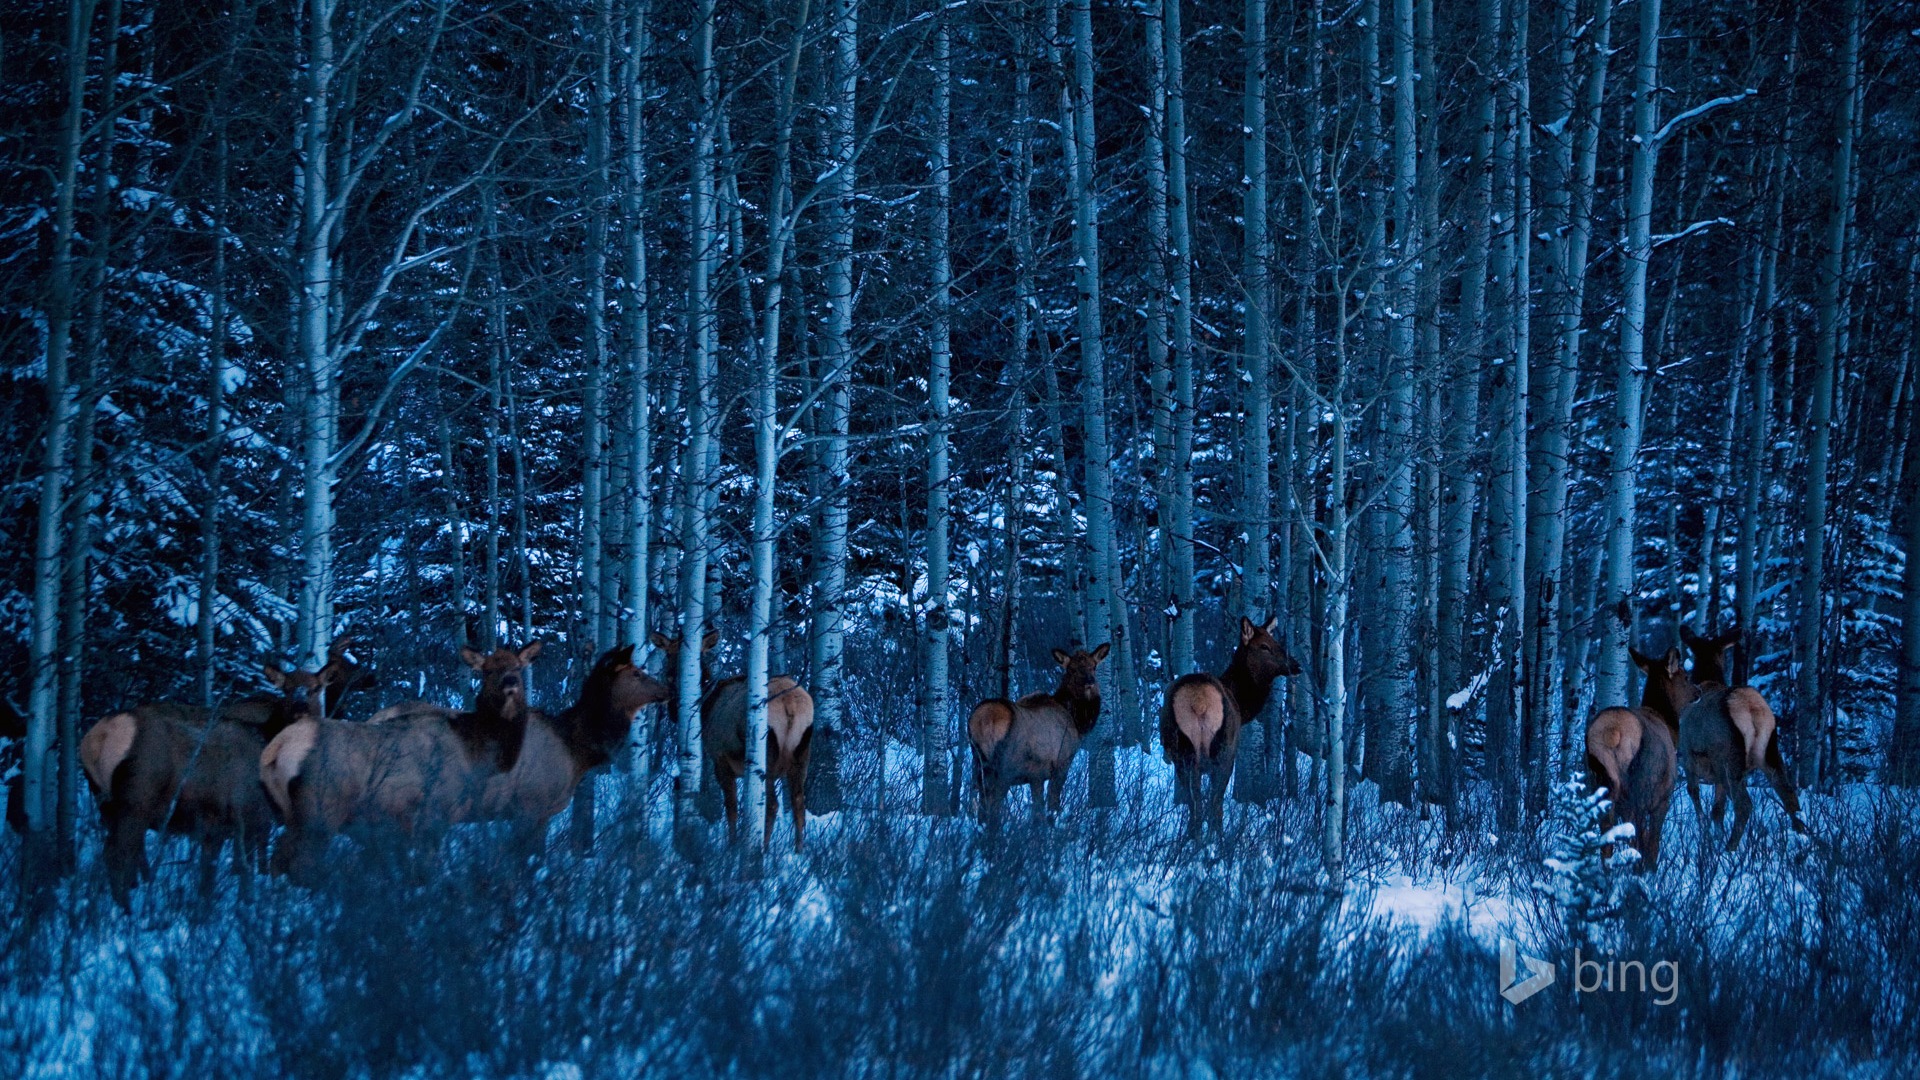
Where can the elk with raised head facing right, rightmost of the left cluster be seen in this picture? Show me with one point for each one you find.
(558, 752)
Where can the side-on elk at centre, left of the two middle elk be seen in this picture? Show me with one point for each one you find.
(1034, 741)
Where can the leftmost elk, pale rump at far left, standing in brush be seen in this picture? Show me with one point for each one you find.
(174, 770)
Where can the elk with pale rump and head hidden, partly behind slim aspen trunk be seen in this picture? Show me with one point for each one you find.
(790, 739)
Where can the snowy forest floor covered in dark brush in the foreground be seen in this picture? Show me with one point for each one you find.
(901, 946)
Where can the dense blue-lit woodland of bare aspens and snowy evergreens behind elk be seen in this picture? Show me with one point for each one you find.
(903, 343)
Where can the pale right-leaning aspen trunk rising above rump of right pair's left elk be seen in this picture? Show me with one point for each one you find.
(1618, 601)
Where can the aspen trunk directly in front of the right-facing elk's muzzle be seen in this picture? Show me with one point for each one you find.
(700, 397)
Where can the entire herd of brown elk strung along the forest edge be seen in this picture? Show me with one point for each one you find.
(418, 770)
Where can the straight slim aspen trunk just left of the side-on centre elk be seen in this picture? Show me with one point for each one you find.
(934, 718)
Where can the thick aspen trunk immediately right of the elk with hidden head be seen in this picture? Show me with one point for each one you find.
(836, 364)
